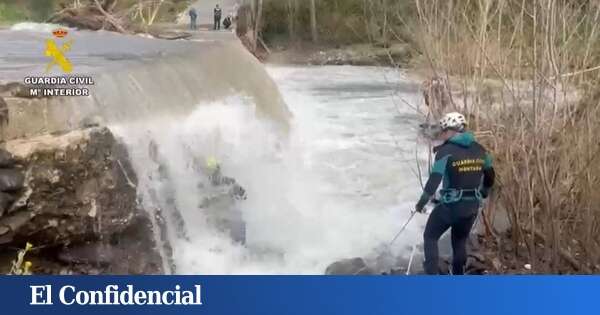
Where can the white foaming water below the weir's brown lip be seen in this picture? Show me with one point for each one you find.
(338, 186)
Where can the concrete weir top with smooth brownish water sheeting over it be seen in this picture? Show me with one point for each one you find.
(134, 78)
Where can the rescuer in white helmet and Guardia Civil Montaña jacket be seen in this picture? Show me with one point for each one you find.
(468, 175)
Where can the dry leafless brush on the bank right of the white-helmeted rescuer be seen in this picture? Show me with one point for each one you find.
(527, 72)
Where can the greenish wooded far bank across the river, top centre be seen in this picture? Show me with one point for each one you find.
(338, 22)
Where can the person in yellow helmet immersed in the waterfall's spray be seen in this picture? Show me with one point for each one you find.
(223, 210)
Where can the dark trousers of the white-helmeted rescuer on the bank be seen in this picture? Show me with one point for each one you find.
(459, 217)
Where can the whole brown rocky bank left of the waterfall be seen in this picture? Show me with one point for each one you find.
(73, 196)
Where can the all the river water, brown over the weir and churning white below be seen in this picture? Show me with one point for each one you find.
(338, 185)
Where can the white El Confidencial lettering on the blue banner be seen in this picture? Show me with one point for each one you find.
(114, 295)
